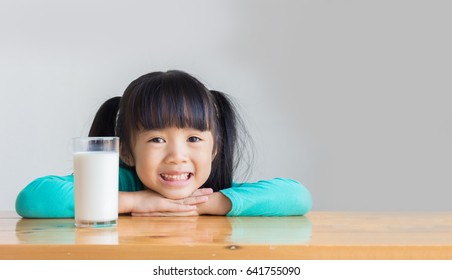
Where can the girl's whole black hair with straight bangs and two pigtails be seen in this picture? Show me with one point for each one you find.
(175, 99)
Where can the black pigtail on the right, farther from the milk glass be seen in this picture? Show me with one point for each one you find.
(228, 158)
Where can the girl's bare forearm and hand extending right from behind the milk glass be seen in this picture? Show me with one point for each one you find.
(150, 203)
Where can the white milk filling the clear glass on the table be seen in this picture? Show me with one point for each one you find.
(96, 176)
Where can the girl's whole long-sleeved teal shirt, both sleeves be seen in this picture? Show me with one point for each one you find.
(53, 196)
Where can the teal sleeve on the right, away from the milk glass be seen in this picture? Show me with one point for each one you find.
(276, 197)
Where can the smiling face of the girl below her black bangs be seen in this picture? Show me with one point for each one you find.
(174, 161)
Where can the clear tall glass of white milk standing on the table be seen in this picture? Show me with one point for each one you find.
(96, 176)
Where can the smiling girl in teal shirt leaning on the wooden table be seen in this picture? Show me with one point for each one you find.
(178, 156)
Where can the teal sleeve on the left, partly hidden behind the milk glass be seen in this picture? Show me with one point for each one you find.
(53, 196)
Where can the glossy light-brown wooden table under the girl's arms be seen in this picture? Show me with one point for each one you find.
(319, 235)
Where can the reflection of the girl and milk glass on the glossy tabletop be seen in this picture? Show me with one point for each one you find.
(169, 230)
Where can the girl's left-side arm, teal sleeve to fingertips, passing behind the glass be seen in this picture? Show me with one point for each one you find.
(53, 197)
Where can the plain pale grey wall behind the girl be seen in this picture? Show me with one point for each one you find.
(352, 98)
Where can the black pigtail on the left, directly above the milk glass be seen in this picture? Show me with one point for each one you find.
(104, 123)
